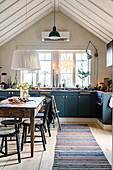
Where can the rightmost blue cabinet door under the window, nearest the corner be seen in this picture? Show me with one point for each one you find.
(85, 105)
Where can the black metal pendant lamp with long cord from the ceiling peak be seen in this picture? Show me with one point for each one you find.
(54, 34)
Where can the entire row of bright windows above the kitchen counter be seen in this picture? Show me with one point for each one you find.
(73, 66)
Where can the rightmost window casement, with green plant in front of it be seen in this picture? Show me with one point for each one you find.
(82, 70)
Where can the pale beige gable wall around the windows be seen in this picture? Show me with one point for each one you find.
(31, 39)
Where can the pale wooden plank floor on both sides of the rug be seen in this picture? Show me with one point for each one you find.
(43, 160)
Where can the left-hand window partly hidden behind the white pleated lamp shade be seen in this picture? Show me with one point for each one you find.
(44, 75)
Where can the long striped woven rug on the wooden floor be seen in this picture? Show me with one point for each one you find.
(76, 148)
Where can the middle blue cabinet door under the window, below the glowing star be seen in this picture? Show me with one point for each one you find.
(71, 105)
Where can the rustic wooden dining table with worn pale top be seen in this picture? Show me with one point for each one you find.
(23, 110)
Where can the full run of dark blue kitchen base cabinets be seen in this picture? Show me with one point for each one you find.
(75, 104)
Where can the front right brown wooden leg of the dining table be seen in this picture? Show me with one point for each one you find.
(32, 128)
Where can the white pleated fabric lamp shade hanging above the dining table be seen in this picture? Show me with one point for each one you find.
(25, 60)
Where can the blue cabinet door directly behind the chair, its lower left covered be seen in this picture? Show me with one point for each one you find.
(59, 99)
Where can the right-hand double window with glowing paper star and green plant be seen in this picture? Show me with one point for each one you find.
(74, 74)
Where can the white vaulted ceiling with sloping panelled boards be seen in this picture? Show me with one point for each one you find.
(94, 15)
